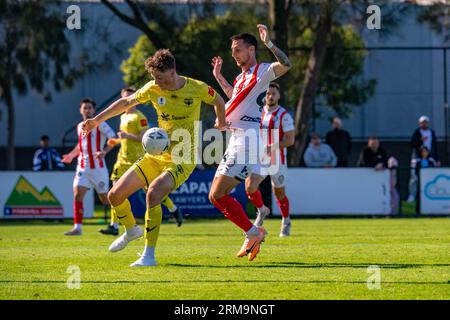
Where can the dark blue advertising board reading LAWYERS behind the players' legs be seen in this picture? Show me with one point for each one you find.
(191, 196)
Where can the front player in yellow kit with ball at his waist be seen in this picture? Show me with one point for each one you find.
(177, 101)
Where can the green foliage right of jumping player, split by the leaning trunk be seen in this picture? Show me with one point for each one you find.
(341, 85)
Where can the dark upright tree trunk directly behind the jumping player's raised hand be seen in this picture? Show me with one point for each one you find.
(278, 14)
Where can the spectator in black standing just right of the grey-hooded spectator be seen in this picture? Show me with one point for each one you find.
(340, 141)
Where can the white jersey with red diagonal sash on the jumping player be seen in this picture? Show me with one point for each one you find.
(244, 108)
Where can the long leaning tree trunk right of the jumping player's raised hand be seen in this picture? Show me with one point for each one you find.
(308, 92)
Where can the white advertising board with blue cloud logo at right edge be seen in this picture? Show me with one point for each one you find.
(435, 191)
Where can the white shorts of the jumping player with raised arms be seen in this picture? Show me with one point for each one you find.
(240, 157)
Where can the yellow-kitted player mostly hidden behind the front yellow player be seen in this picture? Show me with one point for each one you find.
(133, 124)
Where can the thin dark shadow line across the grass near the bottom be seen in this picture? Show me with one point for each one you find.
(219, 281)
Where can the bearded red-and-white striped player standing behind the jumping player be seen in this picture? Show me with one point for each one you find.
(274, 118)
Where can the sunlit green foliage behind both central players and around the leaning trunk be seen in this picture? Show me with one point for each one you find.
(341, 84)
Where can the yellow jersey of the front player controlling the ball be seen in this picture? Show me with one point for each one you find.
(177, 109)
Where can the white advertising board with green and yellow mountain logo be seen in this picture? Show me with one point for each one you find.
(28, 194)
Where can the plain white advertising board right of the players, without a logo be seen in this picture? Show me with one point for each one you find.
(356, 191)
